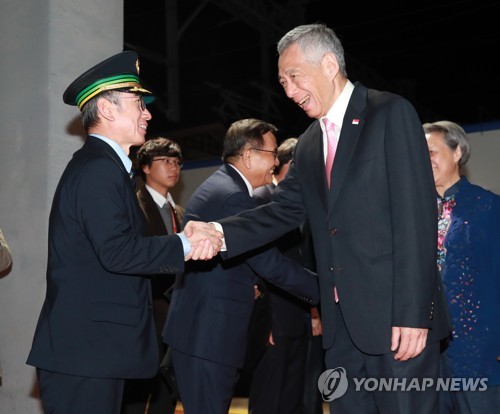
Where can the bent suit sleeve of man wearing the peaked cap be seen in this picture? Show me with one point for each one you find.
(104, 207)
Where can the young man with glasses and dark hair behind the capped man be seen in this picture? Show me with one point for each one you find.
(159, 163)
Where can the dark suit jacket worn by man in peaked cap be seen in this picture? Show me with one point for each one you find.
(96, 319)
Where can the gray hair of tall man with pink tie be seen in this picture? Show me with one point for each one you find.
(314, 41)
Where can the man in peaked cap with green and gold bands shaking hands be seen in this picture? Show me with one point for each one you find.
(96, 326)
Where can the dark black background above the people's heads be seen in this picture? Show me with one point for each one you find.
(211, 62)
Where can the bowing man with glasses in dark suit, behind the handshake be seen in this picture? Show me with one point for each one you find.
(208, 320)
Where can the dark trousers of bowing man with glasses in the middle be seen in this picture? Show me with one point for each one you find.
(205, 387)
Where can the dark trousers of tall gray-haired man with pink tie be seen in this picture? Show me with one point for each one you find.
(371, 400)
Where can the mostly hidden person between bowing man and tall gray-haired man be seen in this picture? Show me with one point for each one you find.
(279, 378)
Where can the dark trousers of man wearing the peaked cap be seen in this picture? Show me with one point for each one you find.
(64, 394)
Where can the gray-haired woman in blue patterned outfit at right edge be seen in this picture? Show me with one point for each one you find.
(469, 264)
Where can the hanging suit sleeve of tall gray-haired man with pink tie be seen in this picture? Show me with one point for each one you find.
(413, 216)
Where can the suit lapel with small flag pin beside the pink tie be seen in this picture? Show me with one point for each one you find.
(352, 125)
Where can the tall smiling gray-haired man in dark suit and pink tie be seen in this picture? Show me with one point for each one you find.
(373, 221)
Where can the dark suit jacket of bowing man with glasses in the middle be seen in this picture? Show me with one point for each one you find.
(212, 302)
